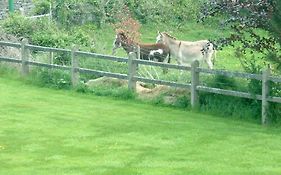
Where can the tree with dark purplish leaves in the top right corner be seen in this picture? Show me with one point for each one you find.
(255, 25)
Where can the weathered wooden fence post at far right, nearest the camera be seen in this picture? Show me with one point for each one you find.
(265, 93)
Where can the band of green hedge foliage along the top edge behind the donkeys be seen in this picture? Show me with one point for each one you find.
(99, 12)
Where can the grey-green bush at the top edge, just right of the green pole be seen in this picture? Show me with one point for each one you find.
(73, 12)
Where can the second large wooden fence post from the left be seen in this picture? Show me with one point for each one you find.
(74, 67)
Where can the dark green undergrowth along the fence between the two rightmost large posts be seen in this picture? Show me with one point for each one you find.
(227, 106)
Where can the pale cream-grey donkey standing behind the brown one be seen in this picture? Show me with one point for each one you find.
(186, 51)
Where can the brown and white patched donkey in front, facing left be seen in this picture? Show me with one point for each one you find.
(155, 52)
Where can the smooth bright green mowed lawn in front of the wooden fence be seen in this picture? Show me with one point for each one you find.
(44, 131)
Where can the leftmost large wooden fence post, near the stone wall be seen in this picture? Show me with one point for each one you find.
(24, 58)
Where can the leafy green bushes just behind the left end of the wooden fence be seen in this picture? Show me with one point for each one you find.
(42, 32)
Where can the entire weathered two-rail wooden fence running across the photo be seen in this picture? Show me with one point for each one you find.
(132, 77)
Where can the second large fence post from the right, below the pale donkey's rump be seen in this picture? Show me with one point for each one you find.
(194, 83)
